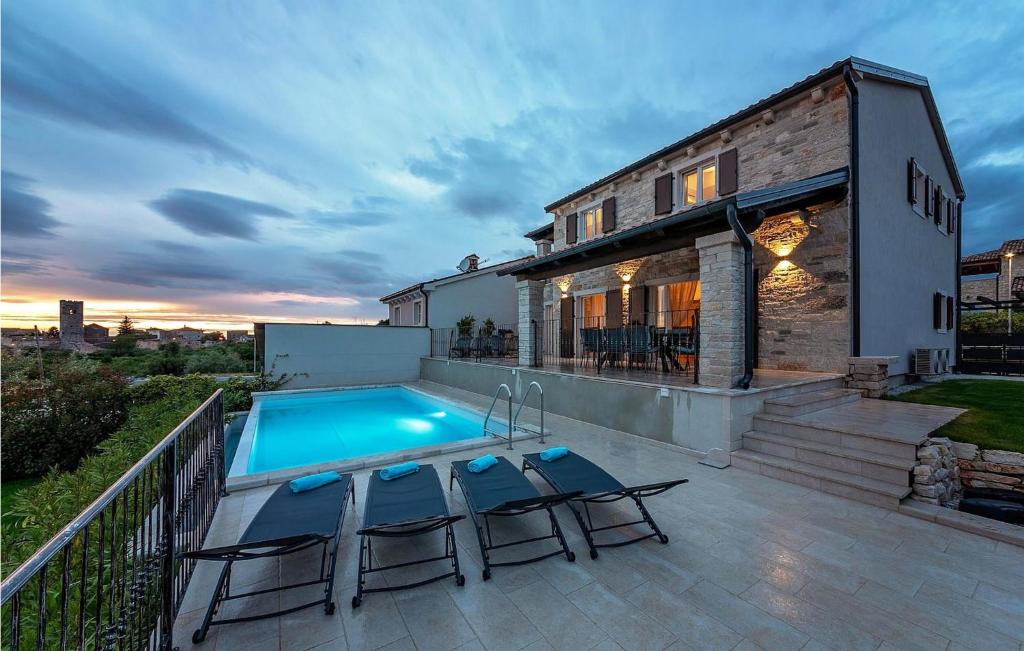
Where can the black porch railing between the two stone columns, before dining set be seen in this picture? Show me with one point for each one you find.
(666, 342)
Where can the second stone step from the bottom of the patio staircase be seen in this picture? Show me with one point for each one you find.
(866, 464)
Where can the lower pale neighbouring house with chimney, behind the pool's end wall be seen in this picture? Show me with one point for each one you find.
(442, 302)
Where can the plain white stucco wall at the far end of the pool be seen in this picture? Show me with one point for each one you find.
(324, 356)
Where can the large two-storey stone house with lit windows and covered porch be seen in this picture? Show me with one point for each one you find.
(818, 225)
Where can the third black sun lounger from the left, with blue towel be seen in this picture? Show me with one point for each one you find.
(502, 491)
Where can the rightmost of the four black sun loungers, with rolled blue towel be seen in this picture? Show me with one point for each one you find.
(575, 473)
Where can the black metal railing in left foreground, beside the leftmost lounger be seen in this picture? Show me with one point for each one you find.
(113, 579)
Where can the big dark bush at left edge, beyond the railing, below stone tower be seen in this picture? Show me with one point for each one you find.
(56, 421)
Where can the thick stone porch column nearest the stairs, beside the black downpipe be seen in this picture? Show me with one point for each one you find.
(721, 310)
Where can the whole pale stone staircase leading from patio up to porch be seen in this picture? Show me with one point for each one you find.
(836, 442)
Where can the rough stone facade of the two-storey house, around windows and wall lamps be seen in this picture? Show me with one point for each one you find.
(803, 265)
